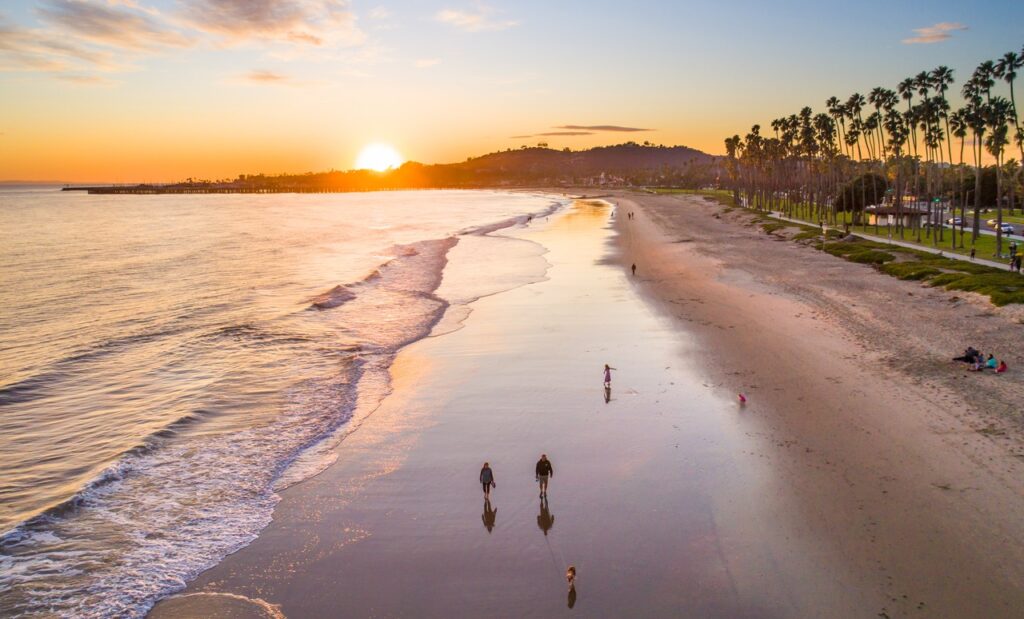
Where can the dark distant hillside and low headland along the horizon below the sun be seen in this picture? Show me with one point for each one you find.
(628, 164)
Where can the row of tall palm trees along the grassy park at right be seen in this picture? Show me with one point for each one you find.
(888, 147)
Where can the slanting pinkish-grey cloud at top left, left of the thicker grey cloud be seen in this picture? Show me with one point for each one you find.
(123, 27)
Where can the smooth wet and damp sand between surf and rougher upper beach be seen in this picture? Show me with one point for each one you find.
(830, 494)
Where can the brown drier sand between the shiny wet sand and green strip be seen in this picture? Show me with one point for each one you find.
(878, 434)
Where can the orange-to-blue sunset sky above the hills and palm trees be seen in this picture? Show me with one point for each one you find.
(160, 91)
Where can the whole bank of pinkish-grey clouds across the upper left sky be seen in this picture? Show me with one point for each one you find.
(74, 40)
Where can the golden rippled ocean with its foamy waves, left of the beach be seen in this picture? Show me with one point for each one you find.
(169, 363)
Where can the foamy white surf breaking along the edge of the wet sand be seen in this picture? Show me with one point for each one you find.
(180, 502)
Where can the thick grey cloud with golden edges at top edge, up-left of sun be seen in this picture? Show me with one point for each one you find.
(307, 22)
